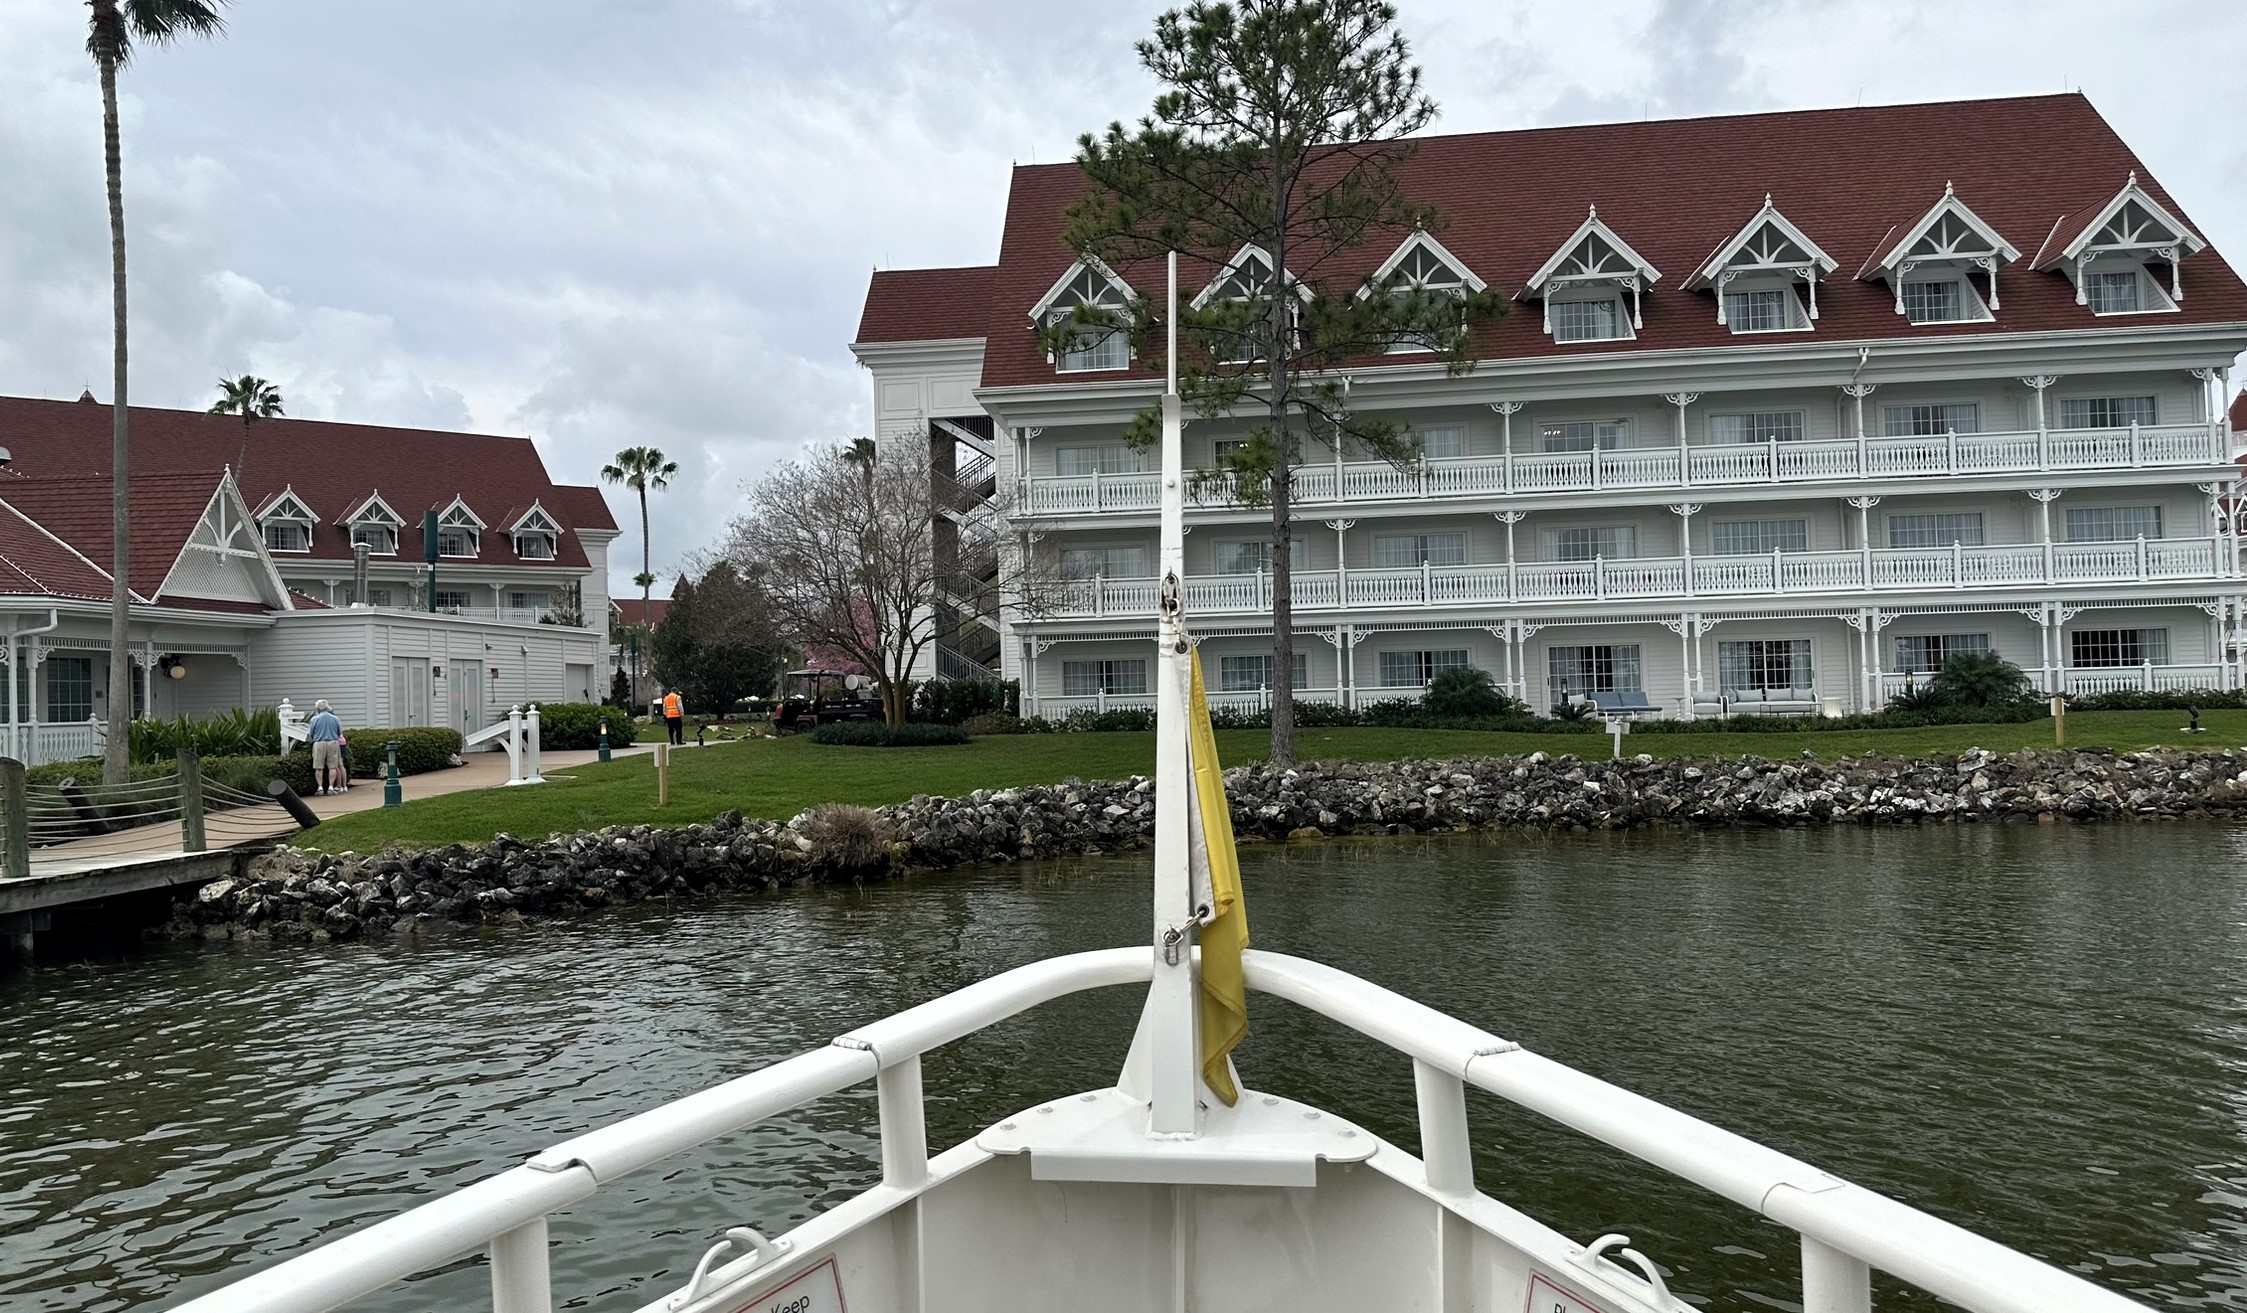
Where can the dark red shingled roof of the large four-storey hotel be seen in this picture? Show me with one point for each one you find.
(1675, 190)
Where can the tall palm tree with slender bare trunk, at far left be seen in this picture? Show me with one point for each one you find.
(113, 30)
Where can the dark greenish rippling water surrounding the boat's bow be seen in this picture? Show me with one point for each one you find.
(2039, 1033)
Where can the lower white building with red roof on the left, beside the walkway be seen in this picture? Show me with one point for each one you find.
(244, 574)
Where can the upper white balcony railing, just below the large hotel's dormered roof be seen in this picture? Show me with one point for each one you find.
(1698, 467)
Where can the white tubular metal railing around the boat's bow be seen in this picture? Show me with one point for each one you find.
(1846, 1229)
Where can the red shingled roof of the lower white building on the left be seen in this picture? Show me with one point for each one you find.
(331, 467)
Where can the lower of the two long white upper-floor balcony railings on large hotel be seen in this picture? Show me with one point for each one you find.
(1702, 577)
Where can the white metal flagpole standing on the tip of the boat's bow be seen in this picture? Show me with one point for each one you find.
(1172, 997)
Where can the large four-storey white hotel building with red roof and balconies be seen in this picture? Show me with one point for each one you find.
(1787, 410)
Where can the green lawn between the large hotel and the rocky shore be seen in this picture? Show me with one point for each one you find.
(785, 777)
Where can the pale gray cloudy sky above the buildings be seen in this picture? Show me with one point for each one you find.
(651, 221)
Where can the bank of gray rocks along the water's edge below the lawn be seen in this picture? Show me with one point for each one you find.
(309, 896)
